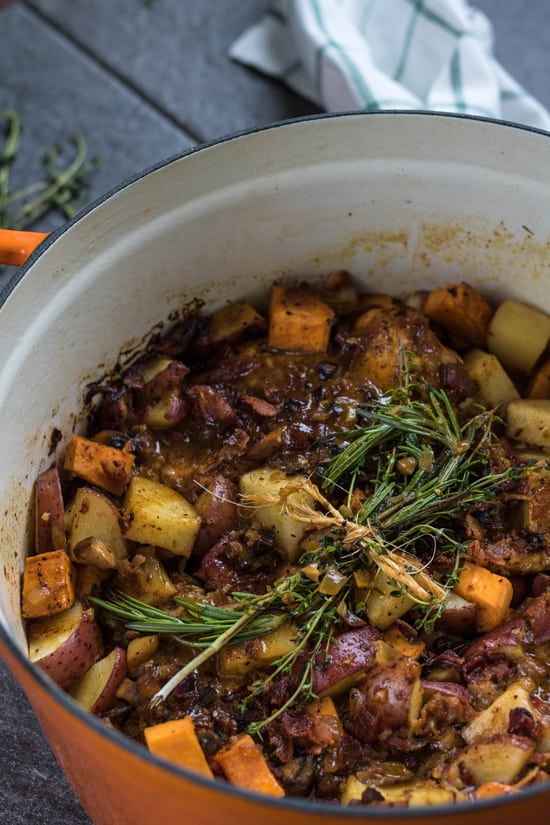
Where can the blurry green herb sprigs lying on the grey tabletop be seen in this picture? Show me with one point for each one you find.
(63, 187)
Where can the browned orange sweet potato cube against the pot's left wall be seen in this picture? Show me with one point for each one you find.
(48, 584)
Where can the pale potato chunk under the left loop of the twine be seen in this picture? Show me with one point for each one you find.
(270, 483)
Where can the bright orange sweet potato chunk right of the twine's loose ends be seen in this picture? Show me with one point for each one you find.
(492, 594)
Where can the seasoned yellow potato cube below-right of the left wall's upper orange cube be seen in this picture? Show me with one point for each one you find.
(160, 516)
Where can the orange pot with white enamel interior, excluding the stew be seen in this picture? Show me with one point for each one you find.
(402, 200)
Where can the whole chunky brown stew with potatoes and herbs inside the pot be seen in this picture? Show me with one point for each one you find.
(306, 551)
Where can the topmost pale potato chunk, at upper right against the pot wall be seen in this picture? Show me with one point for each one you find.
(518, 335)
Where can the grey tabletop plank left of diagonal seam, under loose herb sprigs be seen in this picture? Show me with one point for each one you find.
(59, 91)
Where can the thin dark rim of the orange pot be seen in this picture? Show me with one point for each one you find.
(319, 808)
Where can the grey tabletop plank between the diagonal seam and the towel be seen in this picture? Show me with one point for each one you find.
(175, 54)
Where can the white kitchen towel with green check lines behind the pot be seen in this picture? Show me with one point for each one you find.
(370, 55)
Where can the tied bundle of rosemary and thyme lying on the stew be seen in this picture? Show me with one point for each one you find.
(421, 468)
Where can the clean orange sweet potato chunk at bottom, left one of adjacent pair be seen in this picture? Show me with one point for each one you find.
(177, 741)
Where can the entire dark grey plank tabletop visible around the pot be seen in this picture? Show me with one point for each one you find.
(143, 82)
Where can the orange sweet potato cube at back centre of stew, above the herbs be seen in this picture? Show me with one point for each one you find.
(299, 320)
